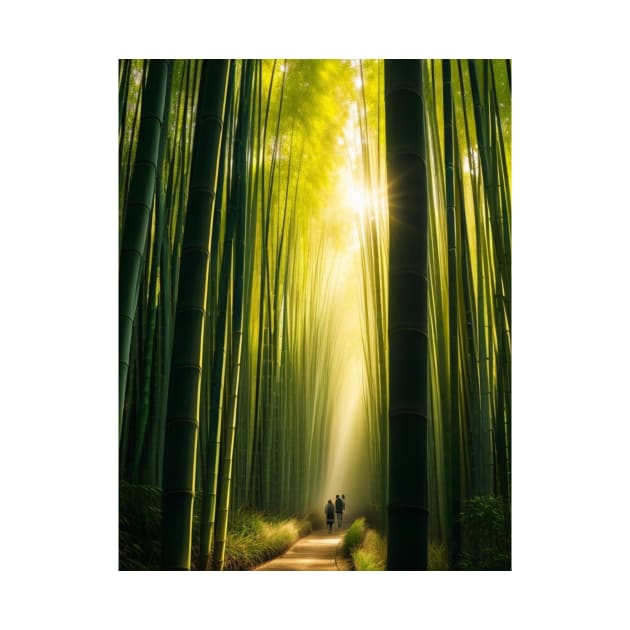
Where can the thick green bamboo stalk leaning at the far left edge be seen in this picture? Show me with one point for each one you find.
(137, 214)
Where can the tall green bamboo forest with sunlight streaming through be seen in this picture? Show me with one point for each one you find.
(314, 306)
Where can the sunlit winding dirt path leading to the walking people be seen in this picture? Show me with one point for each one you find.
(319, 551)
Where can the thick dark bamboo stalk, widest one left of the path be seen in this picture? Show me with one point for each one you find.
(184, 385)
